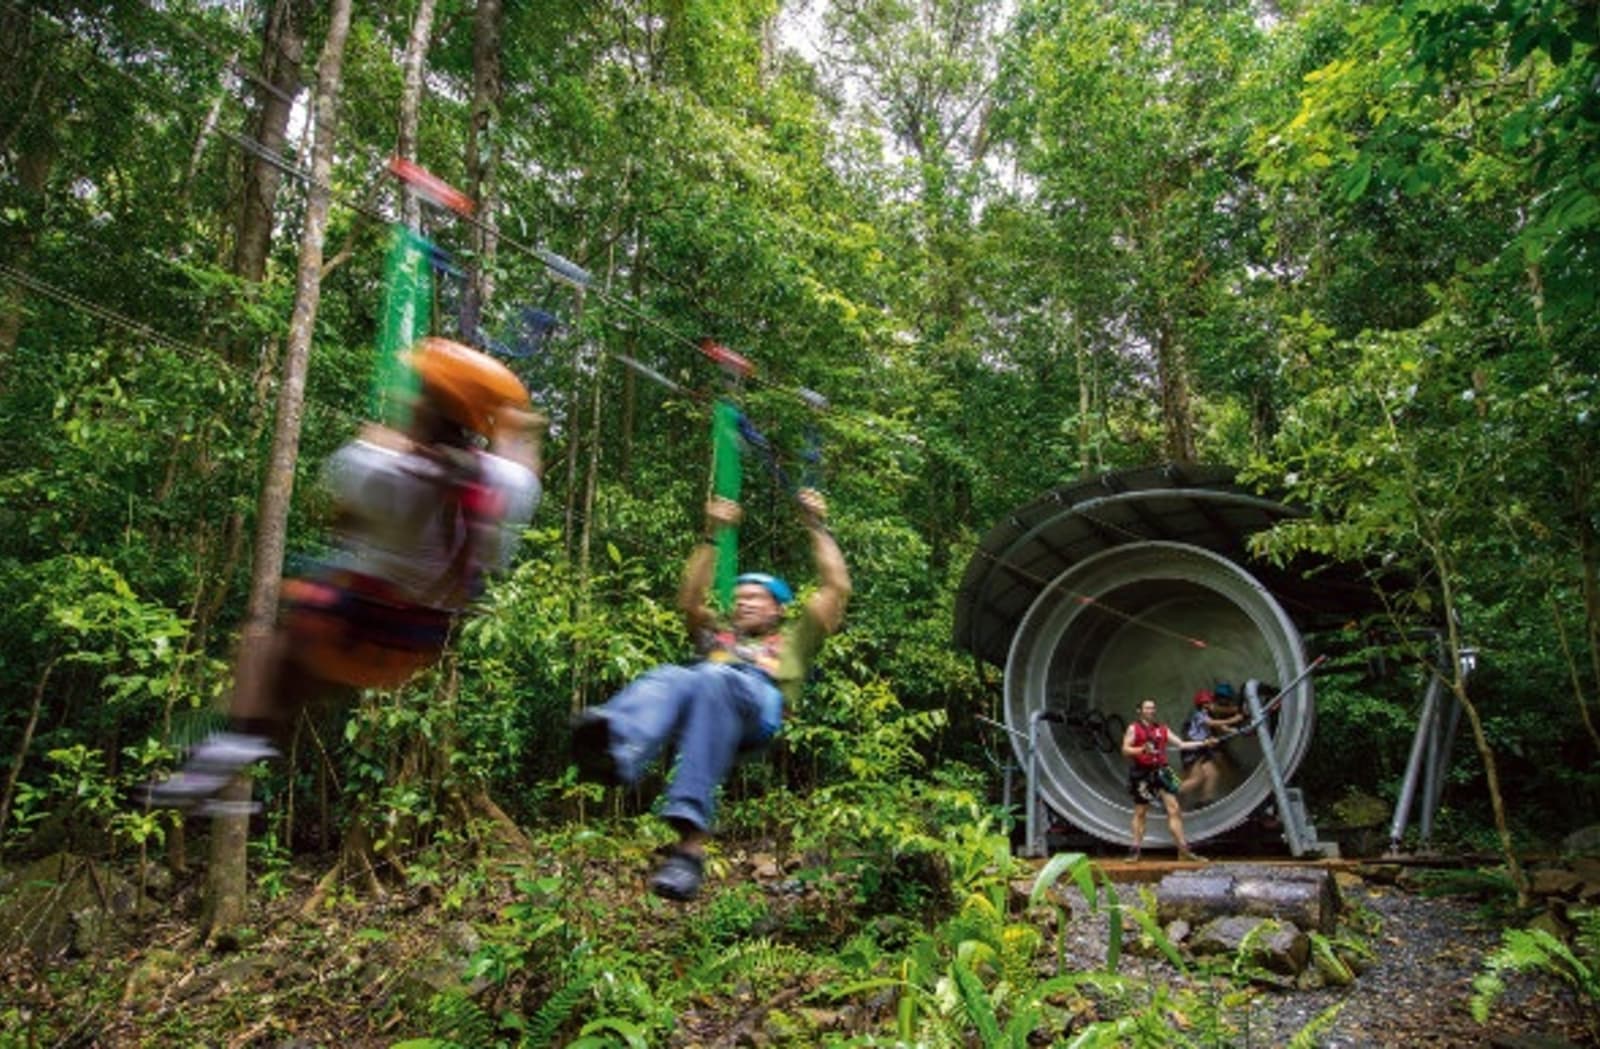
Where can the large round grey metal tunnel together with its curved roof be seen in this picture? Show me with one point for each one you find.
(1132, 586)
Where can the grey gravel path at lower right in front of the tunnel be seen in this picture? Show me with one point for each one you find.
(1415, 994)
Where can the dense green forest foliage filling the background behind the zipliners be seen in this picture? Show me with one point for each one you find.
(1353, 247)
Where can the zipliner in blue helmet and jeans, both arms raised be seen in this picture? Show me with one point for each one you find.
(732, 700)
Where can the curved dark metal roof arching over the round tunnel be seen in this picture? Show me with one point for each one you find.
(1196, 505)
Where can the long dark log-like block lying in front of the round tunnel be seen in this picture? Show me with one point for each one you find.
(1306, 896)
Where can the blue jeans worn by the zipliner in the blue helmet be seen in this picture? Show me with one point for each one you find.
(710, 712)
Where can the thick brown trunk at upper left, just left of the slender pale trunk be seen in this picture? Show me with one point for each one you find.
(282, 50)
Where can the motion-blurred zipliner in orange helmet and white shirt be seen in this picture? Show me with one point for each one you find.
(423, 514)
